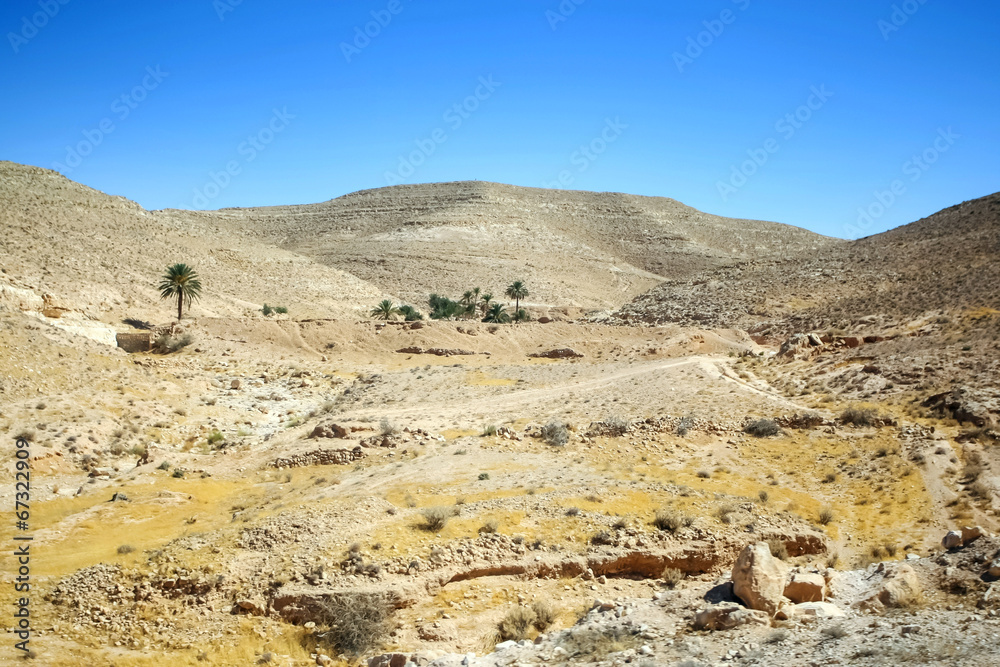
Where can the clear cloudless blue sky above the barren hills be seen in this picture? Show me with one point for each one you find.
(803, 113)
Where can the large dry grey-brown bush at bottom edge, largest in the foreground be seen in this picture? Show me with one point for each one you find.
(355, 623)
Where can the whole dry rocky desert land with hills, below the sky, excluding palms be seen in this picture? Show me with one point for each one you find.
(708, 441)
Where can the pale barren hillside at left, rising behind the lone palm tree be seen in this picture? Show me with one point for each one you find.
(103, 255)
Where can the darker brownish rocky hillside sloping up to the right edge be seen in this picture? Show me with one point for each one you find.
(946, 262)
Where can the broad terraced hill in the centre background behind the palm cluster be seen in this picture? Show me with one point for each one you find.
(584, 249)
